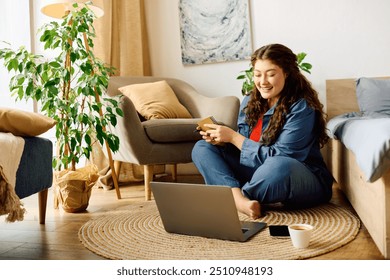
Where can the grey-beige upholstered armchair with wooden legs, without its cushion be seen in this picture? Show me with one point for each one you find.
(165, 141)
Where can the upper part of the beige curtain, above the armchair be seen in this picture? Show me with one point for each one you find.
(121, 37)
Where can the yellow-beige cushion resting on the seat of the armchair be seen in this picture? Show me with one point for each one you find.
(155, 100)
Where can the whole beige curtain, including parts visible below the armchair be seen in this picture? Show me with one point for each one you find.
(121, 41)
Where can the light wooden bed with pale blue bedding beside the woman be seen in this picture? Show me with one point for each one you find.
(368, 191)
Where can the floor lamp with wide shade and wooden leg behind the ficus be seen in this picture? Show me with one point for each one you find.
(58, 9)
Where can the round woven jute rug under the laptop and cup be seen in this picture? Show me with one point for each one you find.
(136, 232)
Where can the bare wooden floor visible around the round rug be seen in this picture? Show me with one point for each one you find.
(58, 239)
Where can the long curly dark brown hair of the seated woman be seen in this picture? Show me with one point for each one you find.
(296, 87)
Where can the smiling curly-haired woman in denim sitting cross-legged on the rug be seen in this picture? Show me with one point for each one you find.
(283, 163)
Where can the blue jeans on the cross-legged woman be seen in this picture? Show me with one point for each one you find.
(278, 179)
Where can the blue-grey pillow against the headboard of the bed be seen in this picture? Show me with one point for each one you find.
(373, 96)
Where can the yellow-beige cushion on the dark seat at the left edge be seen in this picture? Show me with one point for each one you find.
(23, 123)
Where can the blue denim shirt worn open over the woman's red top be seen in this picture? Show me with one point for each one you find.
(297, 139)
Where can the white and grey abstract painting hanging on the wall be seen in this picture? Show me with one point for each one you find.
(214, 31)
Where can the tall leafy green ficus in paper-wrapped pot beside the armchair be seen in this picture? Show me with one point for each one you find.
(70, 88)
